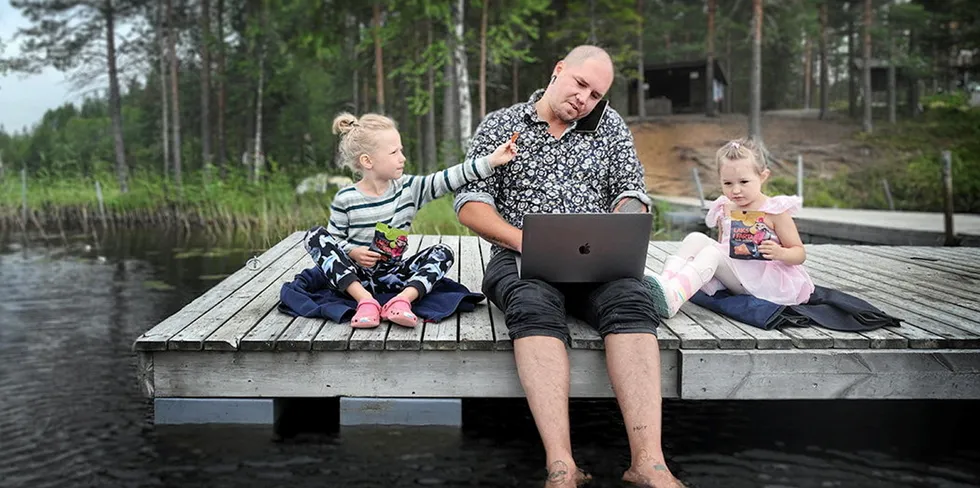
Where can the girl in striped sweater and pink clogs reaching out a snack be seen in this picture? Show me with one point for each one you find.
(363, 245)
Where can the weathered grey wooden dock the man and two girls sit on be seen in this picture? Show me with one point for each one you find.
(232, 342)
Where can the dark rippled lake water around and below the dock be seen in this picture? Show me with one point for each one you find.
(71, 414)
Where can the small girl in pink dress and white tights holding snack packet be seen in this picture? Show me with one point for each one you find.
(759, 250)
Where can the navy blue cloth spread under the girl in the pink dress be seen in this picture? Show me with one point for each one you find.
(828, 308)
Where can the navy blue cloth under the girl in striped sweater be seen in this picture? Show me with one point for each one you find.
(308, 296)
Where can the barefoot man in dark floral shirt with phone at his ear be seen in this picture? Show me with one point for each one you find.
(570, 162)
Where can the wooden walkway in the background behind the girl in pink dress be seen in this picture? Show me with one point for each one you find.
(855, 226)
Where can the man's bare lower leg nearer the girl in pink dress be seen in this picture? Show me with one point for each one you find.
(633, 361)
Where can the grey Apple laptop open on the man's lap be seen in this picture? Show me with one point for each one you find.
(584, 248)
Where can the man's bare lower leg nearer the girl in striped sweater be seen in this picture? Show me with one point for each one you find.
(542, 365)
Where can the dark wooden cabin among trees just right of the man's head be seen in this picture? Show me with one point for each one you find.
(682, 83)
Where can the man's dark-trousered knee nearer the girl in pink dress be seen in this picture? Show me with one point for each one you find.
(623, 306)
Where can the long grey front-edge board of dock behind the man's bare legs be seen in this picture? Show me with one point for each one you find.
(398, 374)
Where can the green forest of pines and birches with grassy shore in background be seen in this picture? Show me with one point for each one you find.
(212, 112)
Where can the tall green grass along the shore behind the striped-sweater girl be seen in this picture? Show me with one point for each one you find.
(225, 203)
